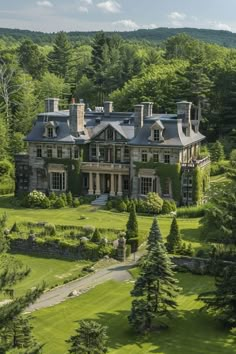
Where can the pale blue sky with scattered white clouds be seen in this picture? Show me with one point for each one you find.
(116, 15)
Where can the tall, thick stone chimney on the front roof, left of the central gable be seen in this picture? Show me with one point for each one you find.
(76, 118)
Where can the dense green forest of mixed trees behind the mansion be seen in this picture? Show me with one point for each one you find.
(125, 71)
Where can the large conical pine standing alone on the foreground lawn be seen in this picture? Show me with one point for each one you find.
(156, 288)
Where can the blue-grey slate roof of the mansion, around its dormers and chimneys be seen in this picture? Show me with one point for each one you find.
(123, 123)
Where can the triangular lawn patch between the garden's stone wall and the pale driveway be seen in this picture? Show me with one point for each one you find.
(52, 271)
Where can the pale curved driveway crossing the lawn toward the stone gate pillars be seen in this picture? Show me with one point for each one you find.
(118, 272)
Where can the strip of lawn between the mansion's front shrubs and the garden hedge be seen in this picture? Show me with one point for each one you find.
(95, 217)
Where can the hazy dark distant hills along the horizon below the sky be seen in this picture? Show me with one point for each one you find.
(224, 38)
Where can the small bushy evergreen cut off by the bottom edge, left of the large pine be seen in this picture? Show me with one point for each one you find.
(90, 338)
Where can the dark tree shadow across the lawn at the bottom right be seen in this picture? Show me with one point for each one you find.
(189, 332)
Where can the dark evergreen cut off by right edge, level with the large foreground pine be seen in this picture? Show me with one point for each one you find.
(222, 301)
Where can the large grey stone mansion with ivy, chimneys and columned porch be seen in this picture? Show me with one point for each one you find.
(117, 153)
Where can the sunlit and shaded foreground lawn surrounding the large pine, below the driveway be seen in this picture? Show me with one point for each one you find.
(190, 332)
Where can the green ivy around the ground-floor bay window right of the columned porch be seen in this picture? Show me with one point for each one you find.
(164, 171)
